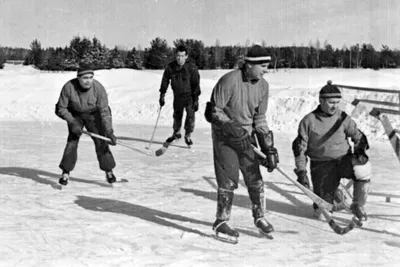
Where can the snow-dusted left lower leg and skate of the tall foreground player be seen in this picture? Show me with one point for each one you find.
(223, 231)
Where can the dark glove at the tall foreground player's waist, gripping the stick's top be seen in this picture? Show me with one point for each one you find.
(236, 137)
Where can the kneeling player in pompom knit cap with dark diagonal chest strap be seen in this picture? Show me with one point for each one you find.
(323, 138)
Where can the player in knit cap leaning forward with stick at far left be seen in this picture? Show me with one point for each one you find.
(83, 102)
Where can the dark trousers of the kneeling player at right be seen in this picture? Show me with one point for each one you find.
(326, 175)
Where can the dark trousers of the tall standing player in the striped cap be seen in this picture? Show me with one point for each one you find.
(227, 163)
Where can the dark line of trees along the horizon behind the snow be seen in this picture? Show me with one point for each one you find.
(160, 53)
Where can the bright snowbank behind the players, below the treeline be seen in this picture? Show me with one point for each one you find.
(27, 94)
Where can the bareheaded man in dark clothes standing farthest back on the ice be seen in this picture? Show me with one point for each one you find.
(185, 84)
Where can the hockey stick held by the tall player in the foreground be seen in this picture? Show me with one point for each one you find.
(322, 204)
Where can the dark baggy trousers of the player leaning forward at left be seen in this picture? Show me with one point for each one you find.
(92, 122)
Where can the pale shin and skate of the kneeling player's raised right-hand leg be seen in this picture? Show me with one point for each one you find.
(360, 194)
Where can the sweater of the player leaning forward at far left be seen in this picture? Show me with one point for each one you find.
(74, 101)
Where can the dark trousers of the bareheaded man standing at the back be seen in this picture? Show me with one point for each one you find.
(182, 103)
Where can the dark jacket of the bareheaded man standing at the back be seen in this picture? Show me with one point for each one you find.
(185, 80)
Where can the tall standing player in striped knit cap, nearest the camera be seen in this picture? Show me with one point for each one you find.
(236, 110)
